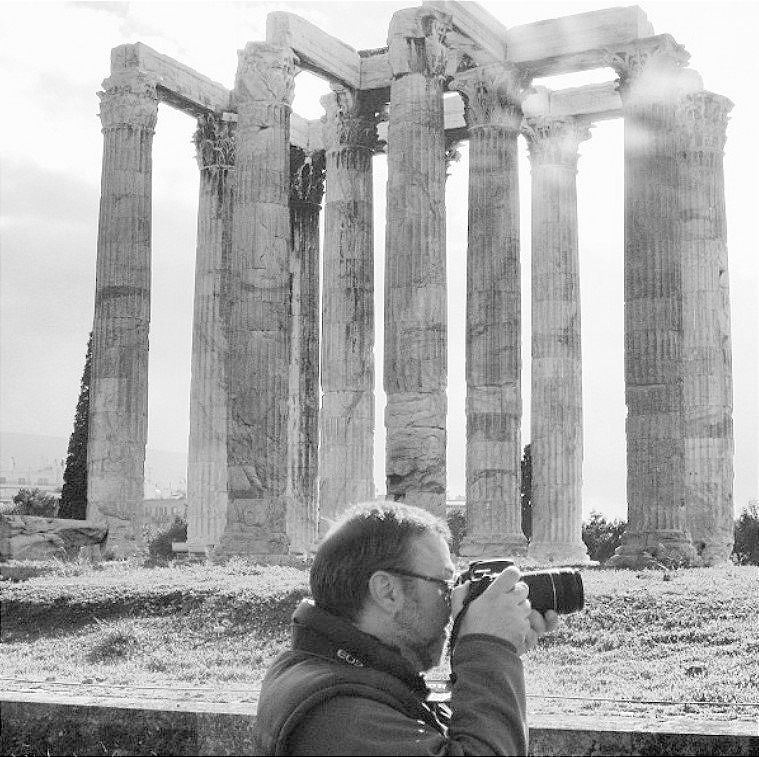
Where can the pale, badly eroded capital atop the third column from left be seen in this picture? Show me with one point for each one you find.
(265, 73)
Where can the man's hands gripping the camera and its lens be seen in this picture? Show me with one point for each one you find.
(504, 611)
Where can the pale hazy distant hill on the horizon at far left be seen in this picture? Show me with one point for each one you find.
(165, 471)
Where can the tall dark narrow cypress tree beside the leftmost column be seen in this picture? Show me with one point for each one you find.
(74, 493)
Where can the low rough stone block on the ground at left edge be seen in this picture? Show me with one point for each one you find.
(27, 537)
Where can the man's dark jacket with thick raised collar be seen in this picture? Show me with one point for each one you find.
(341, 691)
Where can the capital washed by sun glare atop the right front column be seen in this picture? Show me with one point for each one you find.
(651, 69)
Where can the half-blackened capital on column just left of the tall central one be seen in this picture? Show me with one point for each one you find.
(350, 119)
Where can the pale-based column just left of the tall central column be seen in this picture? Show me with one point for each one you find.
(347, 419)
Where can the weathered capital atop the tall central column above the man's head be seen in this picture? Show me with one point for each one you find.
(416, 42)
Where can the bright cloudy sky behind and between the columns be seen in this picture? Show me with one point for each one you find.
(53, 58)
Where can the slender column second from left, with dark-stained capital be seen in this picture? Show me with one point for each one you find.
(207, 455)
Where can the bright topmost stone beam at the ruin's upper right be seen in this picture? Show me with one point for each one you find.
(574, 43)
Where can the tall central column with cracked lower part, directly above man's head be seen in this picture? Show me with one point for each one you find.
(415, 272)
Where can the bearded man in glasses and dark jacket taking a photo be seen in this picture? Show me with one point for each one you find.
(383, 595)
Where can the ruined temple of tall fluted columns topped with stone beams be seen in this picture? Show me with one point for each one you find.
(282, 406)
